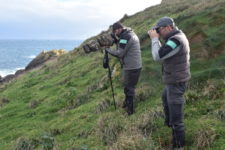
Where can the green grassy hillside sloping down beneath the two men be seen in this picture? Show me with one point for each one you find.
(66, 104)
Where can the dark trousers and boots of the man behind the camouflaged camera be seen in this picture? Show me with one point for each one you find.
(130, 78)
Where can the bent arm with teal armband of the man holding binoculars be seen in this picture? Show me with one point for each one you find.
(170, 48)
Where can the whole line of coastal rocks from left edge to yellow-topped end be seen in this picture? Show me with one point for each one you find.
(36, 62)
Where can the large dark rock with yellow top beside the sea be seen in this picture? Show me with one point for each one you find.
(43, 57)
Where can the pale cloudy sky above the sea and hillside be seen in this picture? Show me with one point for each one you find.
(63, 19)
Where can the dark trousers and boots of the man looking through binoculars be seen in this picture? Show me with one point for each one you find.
(173, 103)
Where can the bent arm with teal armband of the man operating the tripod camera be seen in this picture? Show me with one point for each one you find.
(124, 45)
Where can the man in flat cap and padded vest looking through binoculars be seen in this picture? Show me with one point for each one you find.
(174, 56)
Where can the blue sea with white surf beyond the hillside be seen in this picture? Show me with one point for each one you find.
(16, 54)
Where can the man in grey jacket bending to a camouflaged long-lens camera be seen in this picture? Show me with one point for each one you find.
(129, 53)
